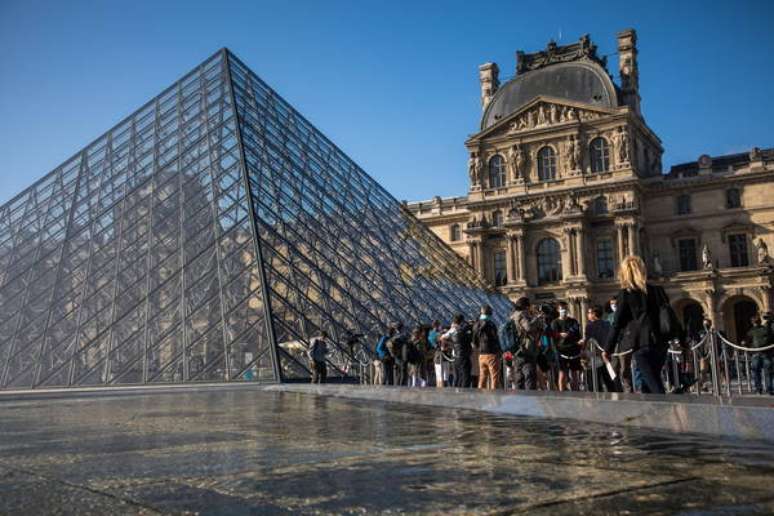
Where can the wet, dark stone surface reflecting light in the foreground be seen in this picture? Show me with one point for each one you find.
(248, 451)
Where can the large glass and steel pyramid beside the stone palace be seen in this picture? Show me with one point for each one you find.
(208, 237)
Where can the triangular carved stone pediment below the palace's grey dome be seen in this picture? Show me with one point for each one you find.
(541, 113)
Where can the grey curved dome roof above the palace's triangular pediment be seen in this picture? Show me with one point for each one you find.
(577, 81)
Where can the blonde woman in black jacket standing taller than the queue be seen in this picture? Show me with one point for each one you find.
(636, 323)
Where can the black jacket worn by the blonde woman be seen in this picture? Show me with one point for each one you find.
(631, 305)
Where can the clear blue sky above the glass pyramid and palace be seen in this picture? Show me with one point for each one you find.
(393, 83)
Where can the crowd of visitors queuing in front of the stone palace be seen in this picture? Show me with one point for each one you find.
(623, 347)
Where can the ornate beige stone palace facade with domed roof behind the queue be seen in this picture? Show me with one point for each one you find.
(566, 178)
